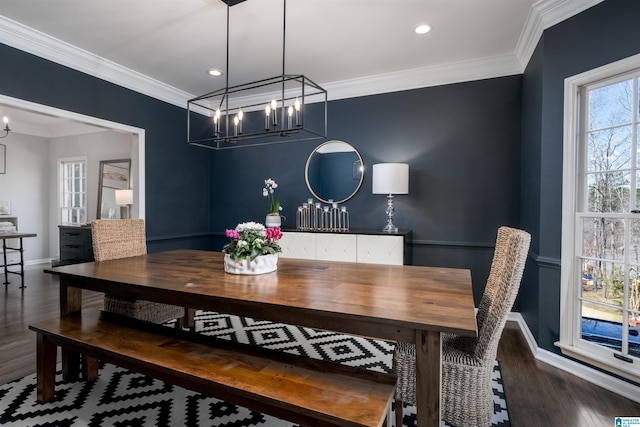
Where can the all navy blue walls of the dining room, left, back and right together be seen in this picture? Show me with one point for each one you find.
(482, 154)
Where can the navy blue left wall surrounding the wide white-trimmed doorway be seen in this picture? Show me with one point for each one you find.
(177, 175)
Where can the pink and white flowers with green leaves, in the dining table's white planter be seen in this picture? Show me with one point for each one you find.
(252, 239)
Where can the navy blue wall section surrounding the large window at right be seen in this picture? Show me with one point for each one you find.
(602, 34)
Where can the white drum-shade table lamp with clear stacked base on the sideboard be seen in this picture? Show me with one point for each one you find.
(390, 179)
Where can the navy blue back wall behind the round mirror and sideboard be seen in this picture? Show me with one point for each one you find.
(462, 143)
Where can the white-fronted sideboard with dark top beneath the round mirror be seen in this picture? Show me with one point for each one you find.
(370, 247)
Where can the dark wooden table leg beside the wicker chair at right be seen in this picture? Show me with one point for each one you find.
(428, 377)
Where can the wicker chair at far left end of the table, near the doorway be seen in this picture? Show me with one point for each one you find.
(122, 238)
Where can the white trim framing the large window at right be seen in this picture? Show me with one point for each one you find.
(569, 306)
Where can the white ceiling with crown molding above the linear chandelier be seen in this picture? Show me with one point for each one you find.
(164, 48)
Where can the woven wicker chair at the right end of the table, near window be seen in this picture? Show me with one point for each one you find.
(467, 362)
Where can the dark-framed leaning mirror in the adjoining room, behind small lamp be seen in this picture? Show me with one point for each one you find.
(114, 175)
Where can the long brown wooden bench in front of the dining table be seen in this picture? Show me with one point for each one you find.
(302, 390)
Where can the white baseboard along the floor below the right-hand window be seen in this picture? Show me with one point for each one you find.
(601, 379)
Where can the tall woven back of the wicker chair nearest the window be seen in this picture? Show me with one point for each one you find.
(512, 247)
